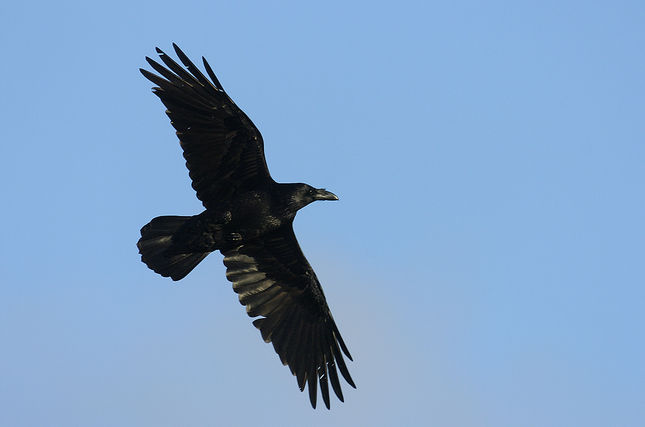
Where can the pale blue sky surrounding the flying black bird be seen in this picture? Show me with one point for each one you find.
(485, 262)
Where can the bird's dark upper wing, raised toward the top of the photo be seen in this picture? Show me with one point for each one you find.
(224, 150)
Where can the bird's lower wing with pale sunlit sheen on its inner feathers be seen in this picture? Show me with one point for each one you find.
(274, 280)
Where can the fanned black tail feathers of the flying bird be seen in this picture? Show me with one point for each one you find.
(155, 247)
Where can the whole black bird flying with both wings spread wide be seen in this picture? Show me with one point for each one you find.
(248, 218)
